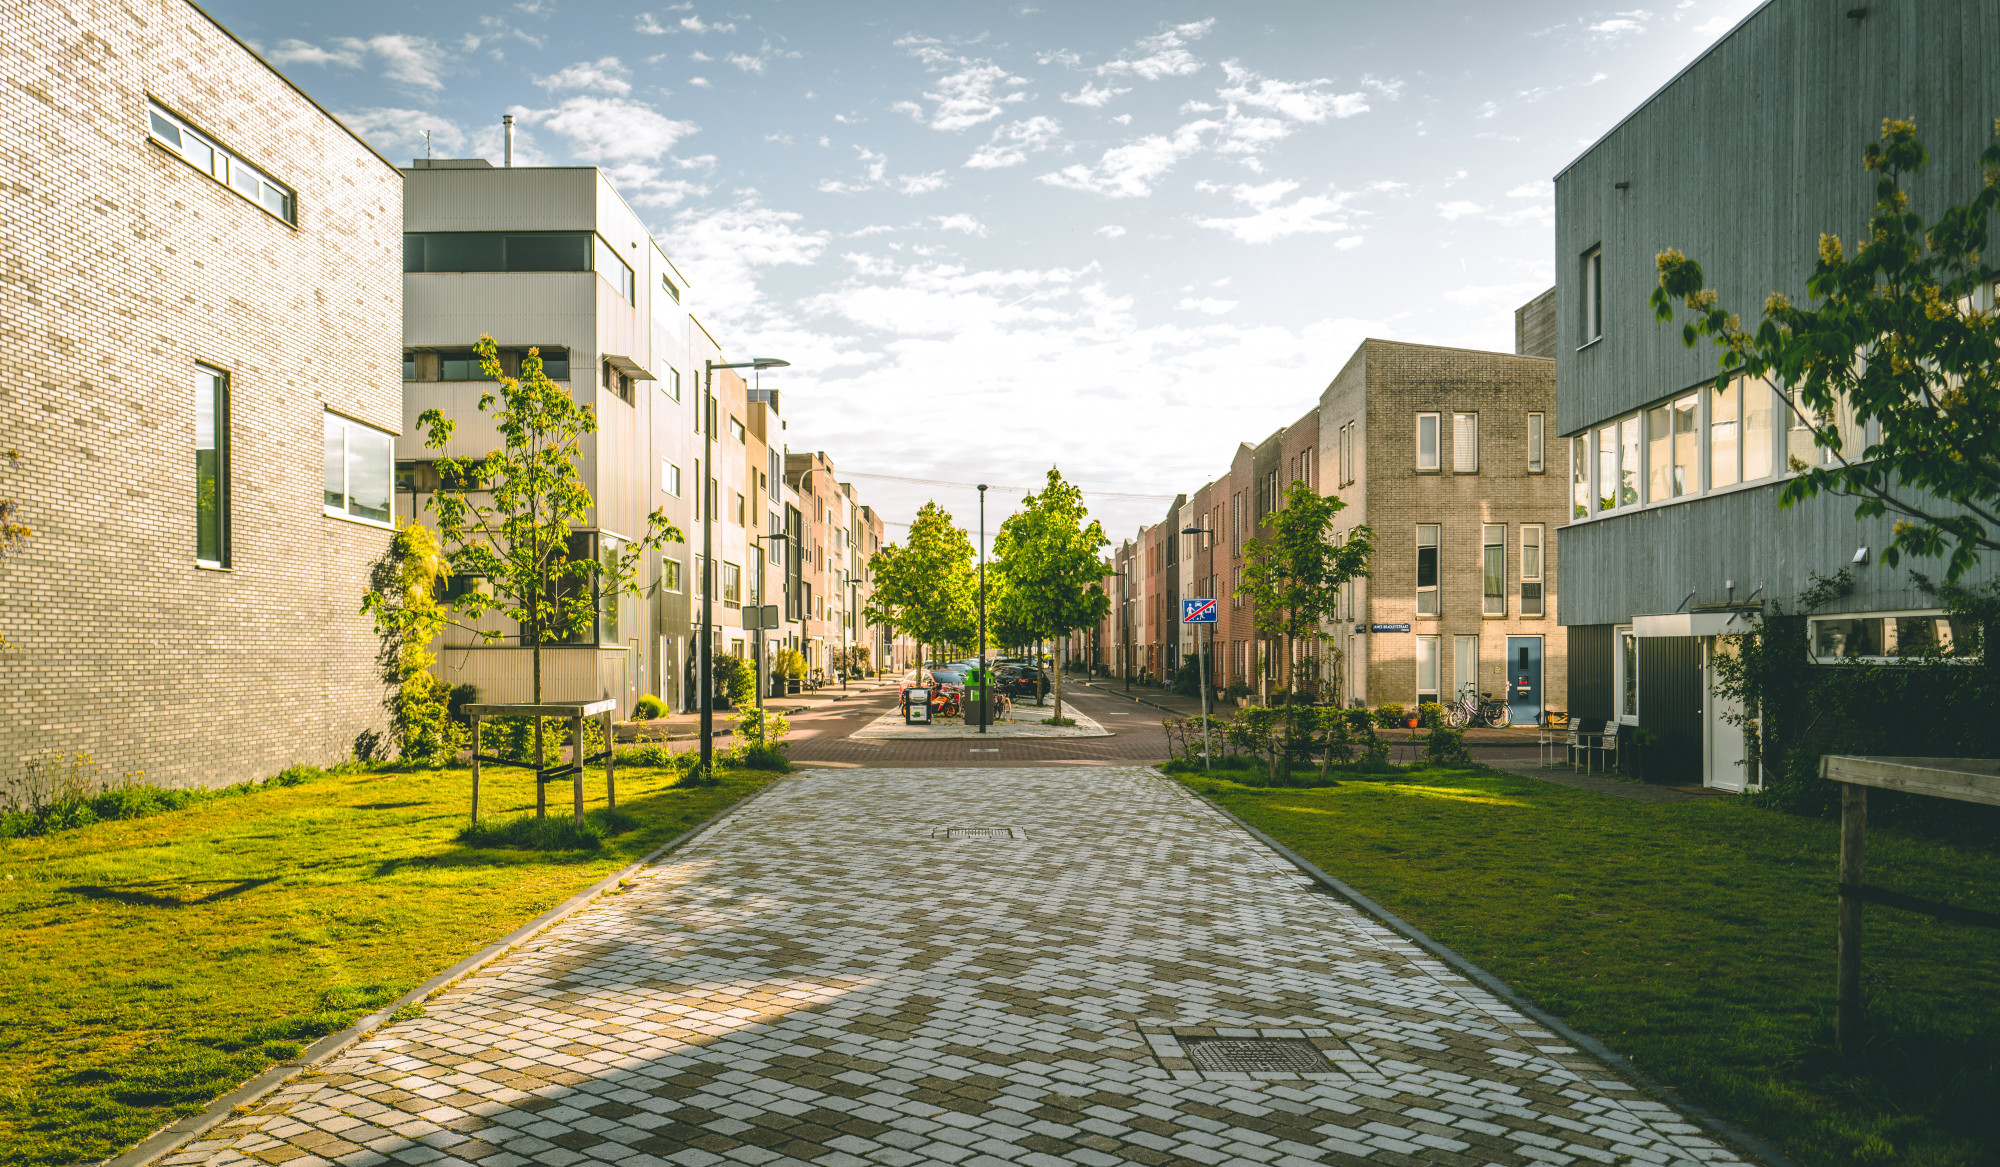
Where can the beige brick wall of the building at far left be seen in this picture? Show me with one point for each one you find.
(127, 267)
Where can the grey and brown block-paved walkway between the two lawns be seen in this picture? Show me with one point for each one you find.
(987, 968)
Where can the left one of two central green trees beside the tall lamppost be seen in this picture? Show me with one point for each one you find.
(927, 588)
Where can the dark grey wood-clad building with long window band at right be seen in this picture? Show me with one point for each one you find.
(1673, 473)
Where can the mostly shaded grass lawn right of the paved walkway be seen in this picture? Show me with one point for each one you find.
(1697, 940)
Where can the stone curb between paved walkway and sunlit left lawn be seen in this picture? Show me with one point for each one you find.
(183, 1132)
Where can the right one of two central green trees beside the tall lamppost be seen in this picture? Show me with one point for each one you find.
(1049, 559)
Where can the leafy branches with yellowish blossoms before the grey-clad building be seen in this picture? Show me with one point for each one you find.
(1897, 343)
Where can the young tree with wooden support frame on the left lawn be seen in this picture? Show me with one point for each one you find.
(509, 519)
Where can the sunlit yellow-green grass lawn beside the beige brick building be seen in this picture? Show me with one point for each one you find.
(149, 966)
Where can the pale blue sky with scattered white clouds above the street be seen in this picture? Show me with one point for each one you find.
(991, 239)
